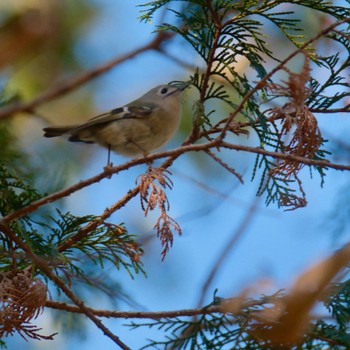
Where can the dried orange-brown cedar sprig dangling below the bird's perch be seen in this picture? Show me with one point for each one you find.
(153, 196)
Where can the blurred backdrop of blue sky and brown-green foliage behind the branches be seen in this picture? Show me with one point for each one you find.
(45, 42)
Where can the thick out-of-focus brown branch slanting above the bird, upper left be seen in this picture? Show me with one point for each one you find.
(72, 83)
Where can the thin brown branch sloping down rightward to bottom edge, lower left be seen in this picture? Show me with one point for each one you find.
(44, 267)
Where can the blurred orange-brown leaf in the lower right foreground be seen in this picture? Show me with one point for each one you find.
(289, 319)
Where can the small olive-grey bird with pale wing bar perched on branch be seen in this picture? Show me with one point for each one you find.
(137, 128)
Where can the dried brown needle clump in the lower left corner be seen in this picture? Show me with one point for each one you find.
(22, 298)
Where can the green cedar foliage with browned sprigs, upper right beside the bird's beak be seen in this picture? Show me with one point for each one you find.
(222, 32)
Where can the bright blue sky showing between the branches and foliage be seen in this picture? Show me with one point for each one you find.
(276, 246)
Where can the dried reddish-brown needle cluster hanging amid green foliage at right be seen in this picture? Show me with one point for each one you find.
(300, 134)
